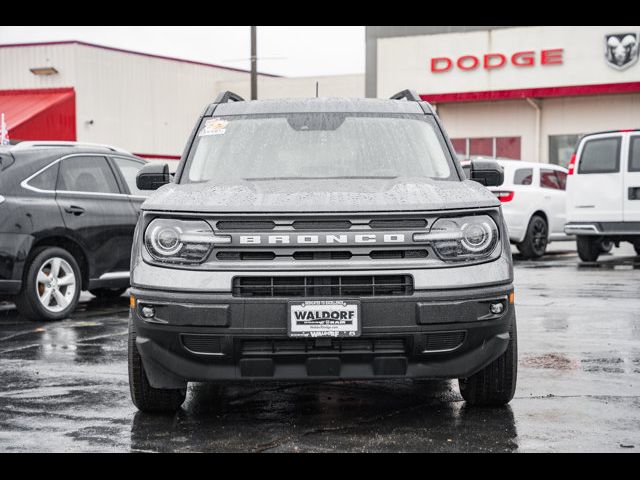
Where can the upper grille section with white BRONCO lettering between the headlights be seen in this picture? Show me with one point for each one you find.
(292, 242)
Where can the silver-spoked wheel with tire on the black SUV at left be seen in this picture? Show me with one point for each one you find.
(51, 285)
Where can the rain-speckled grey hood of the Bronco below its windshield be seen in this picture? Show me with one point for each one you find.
(322, 195)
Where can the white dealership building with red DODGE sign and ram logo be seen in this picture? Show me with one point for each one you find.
(526, 93)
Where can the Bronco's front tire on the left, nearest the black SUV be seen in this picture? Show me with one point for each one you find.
(144, 396)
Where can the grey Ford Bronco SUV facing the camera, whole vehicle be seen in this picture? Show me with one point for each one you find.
(320, 239)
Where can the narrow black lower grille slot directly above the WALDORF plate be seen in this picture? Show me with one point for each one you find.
(324, 286)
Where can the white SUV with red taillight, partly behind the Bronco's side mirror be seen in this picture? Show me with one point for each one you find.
(533, 198)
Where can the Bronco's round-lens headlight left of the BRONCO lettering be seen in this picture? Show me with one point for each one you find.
(181, 241)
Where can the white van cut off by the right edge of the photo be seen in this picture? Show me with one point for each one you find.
(604, 192)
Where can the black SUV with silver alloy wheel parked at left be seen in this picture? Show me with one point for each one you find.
(67, 217)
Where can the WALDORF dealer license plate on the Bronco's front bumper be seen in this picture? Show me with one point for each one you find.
(328, 325)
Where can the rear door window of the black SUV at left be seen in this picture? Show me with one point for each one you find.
(87, 174)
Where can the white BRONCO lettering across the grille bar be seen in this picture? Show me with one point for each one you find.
(320, 239)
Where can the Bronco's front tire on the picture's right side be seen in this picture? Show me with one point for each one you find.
(495, 384)
